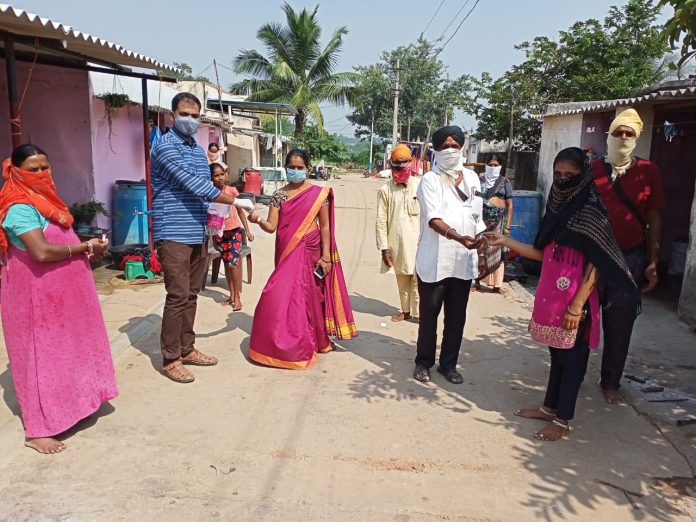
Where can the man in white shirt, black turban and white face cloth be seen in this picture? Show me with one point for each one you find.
(447, 259)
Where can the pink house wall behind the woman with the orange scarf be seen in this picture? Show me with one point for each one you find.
(56, 117)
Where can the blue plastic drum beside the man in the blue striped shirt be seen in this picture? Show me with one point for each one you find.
(129, 218)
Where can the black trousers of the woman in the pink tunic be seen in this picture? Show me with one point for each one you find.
(568, 367)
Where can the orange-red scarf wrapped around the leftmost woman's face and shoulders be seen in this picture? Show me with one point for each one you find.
(32, 188)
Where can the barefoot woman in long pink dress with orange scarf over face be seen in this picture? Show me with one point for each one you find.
(55, 337)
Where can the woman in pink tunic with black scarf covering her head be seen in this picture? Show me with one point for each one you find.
(577, 246)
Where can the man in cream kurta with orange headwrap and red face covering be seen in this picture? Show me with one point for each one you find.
(398, 228)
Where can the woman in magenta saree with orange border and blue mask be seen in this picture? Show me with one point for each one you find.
(298, 310)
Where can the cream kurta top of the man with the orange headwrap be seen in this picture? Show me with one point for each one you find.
(398, 224)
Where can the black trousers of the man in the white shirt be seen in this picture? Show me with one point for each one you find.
(453, 293)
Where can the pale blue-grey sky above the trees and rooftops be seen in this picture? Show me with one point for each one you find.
(198, 32)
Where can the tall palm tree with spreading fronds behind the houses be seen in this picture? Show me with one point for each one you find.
(297, 70)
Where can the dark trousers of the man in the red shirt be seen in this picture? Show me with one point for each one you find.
(618, 316)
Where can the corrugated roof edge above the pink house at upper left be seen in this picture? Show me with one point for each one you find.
(20, 22)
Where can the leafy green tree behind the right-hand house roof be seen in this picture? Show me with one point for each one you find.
(591, 60)
